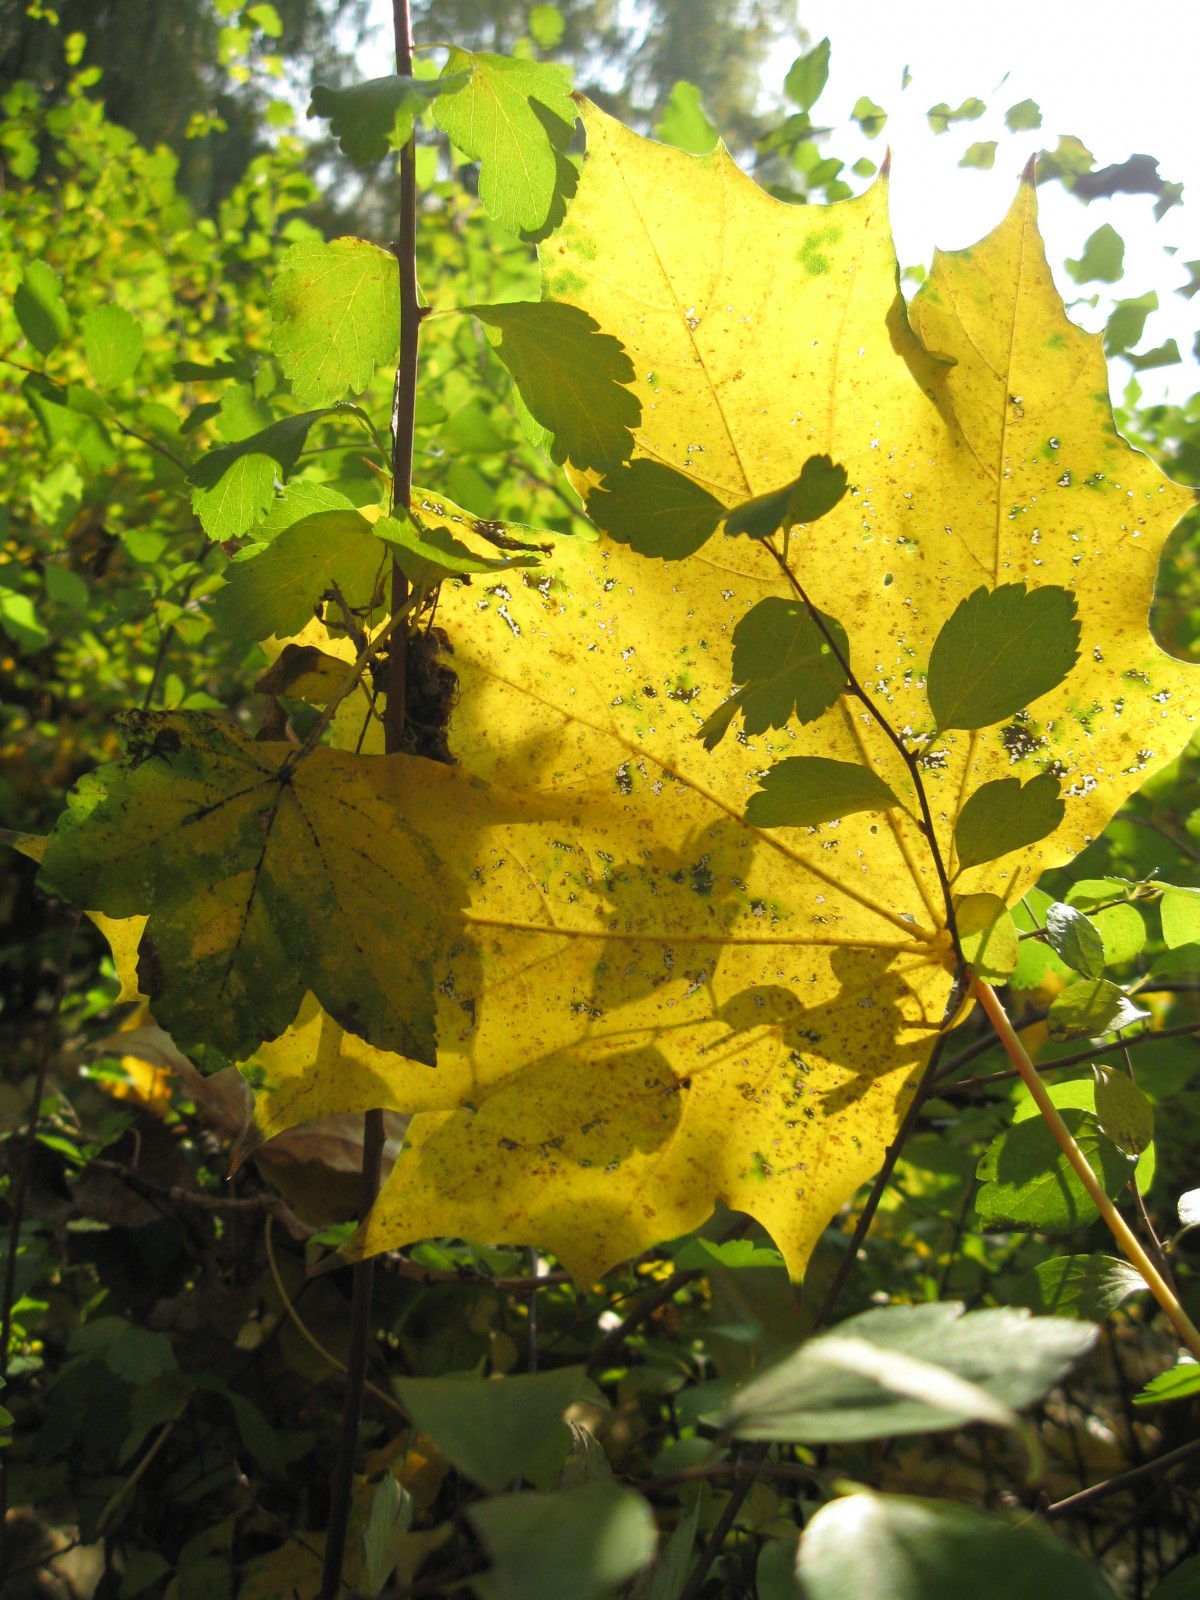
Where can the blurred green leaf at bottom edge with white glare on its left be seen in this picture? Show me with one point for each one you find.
(921, 1550)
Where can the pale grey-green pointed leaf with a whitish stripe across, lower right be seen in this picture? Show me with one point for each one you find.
(841, 1386)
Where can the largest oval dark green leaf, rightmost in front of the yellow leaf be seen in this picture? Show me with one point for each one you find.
(999, 652)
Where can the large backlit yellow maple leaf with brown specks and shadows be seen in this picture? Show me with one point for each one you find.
(649, 1004)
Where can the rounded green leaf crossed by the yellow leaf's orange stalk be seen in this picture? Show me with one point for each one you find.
(1028, 1183)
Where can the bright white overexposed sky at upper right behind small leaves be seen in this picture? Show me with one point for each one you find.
(1118, 74)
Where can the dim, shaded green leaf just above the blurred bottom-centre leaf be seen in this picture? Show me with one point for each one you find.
(495, 1431)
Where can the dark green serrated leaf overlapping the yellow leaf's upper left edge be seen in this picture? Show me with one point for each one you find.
(570, 377)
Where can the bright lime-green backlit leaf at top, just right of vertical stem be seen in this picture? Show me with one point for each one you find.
(518, 121)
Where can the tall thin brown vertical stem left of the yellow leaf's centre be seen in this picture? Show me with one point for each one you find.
(404, 414)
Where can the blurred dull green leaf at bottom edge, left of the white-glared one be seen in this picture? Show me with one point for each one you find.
(599, 1535)
